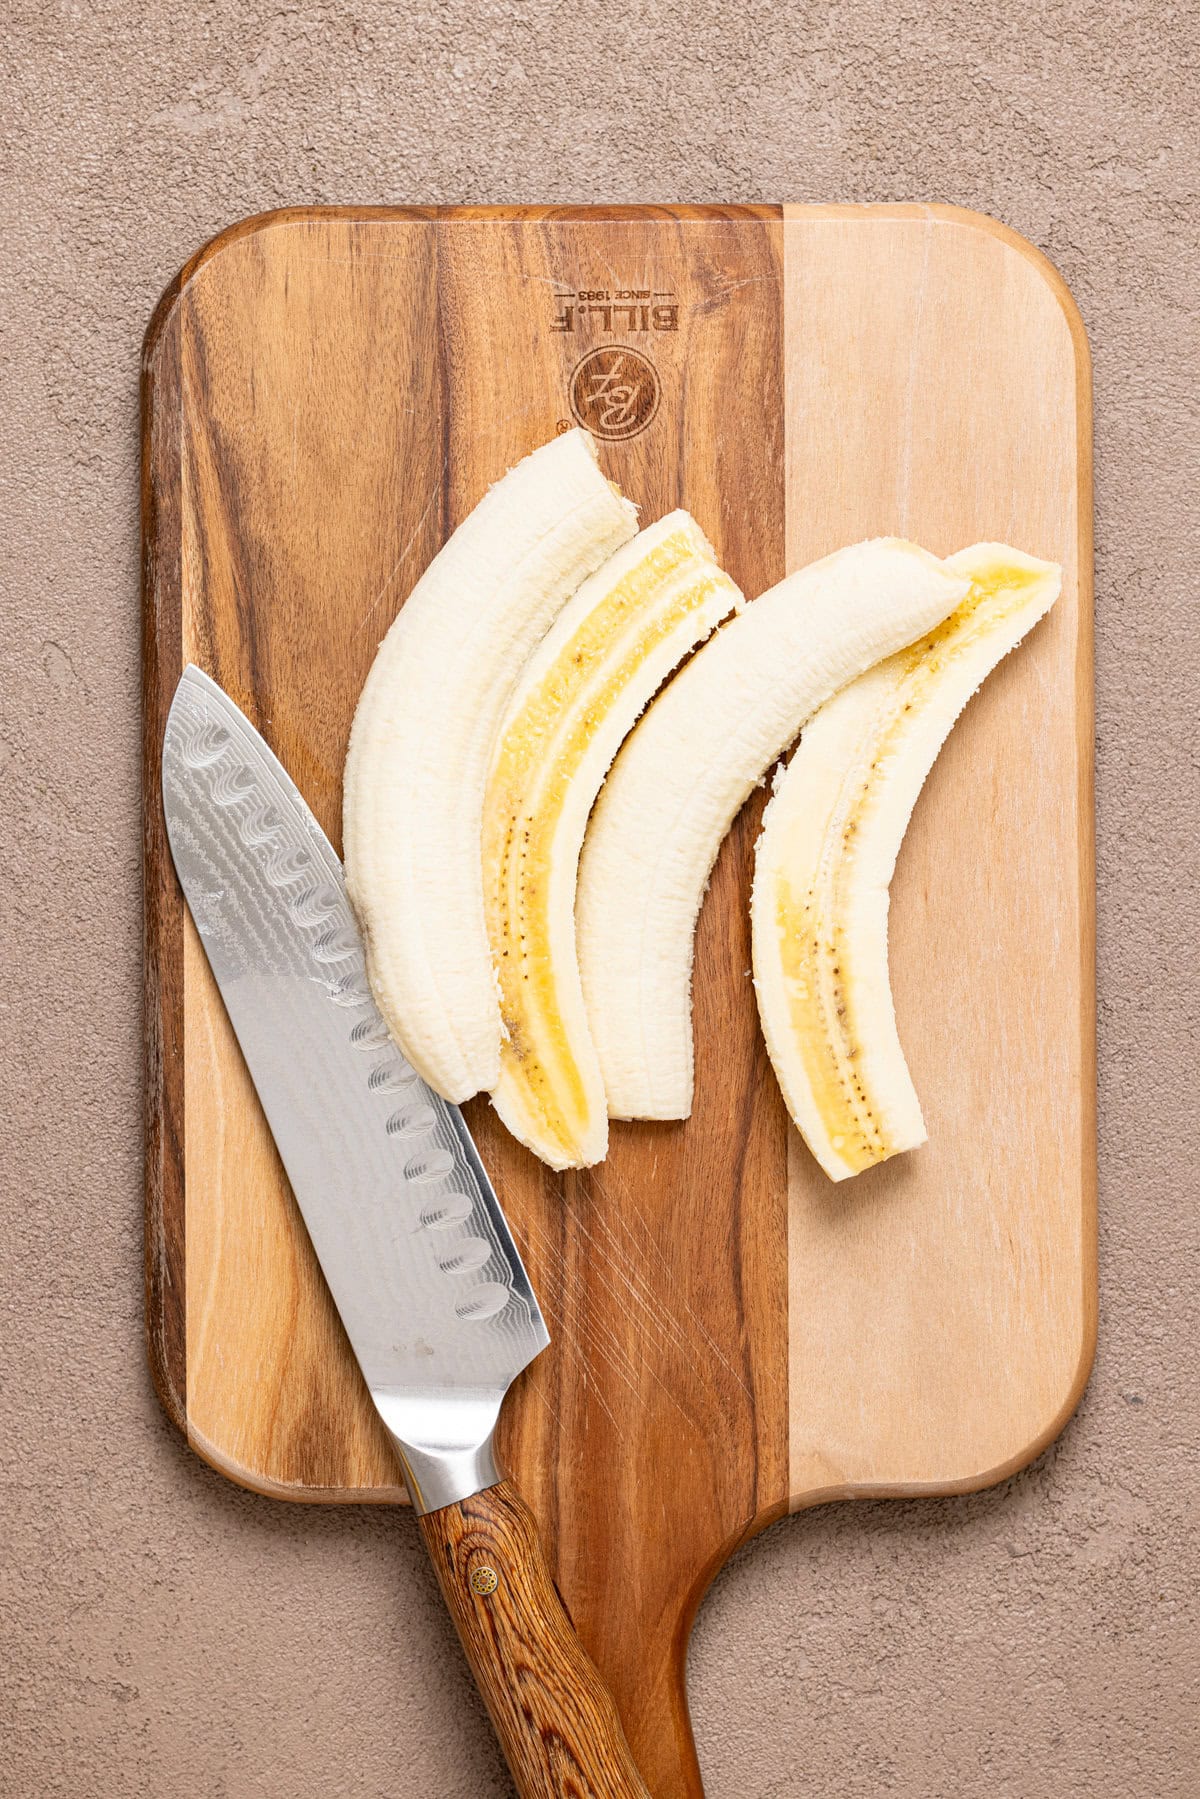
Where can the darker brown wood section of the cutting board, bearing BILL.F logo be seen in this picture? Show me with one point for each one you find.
(348, 397)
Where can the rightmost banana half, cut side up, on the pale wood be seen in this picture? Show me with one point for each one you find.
(827, 857)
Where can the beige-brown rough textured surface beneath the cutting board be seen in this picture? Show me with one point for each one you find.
(174, 1638)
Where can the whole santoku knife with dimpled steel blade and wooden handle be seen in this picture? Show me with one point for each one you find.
(406, 1224)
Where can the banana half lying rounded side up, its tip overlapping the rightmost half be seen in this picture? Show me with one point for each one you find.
(686, 771)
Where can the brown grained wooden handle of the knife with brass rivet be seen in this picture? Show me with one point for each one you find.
(553, 1714)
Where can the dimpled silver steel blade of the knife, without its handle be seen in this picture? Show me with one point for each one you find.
(402, 1215)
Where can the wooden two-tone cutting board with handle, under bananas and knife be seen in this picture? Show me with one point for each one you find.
(327, 397)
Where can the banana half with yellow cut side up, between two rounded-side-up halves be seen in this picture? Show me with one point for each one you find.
(602, 663)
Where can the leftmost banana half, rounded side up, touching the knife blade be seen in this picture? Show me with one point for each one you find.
(422, 740)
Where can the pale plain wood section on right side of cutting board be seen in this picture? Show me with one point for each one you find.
(940, 1309)
